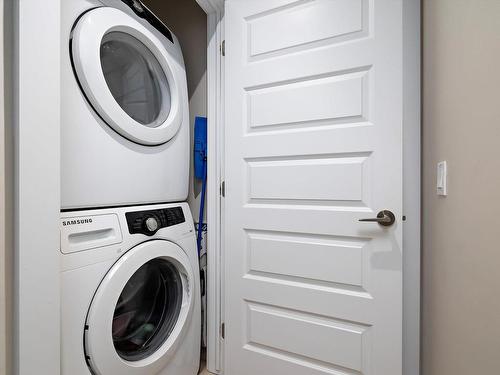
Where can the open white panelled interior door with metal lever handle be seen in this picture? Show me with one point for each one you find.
(313, 144)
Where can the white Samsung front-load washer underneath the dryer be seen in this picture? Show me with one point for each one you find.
(130, 291)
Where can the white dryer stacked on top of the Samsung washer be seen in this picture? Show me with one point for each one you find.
(125, 119)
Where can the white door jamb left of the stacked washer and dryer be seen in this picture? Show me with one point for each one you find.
(36, 113)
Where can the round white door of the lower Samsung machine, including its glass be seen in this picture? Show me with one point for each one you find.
(141, 310)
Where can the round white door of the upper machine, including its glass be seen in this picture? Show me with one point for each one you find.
(129, 77)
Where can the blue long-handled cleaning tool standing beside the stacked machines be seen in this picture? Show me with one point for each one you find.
(200, 167)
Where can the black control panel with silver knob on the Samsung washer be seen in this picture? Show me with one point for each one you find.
(150, 221)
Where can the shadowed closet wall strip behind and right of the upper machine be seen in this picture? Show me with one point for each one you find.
(189, 23)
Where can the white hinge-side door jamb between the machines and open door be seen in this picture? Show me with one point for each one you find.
(215, 173)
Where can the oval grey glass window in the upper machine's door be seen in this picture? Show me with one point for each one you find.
(135, 78)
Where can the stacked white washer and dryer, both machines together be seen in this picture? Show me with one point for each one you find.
(129, 264)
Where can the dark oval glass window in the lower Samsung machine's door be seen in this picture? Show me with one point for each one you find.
(147, 310)
